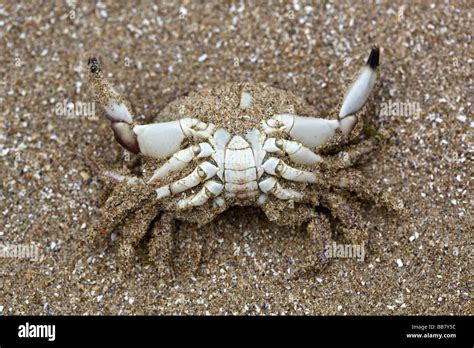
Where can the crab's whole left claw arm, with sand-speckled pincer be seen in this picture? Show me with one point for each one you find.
(158, 140)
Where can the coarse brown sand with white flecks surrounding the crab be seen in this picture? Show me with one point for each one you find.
(240, 263)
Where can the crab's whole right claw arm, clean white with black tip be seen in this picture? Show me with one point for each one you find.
(314, 132)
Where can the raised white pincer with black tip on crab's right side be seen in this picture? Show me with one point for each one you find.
(358, 92)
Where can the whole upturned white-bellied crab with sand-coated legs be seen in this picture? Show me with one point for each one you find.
(241, 144)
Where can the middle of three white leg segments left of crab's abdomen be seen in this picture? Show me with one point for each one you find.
(202, 173)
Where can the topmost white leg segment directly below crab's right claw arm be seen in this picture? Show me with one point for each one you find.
(296, 151)
